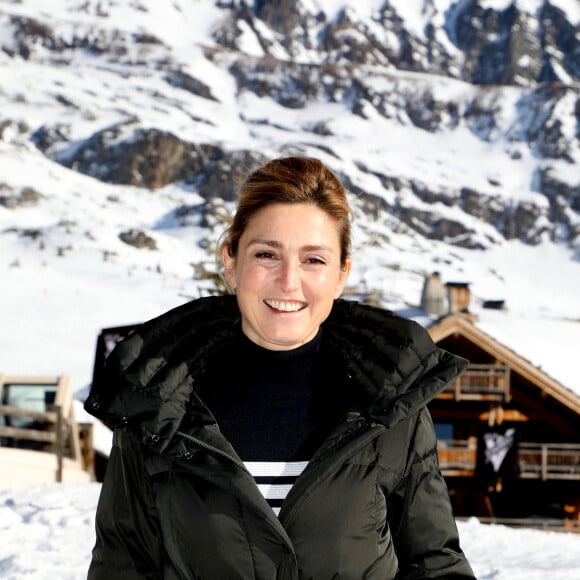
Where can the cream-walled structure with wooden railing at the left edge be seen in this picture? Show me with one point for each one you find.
(40, 439)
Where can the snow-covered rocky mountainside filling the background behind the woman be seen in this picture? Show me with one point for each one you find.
(126, 125)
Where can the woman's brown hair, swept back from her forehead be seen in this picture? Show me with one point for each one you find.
(291, 180)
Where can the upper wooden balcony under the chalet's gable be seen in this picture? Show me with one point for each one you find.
(480, 382)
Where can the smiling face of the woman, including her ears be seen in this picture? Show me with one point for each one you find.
(287, 273)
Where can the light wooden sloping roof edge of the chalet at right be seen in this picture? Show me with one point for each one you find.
(458, 323)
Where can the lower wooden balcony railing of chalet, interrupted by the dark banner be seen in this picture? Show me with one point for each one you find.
(545, 461)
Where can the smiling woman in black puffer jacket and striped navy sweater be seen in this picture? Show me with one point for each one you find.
(281, 433)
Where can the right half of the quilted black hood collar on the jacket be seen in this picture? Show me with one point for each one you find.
(392, 359)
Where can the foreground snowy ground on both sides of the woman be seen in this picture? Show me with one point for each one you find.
(47, 532)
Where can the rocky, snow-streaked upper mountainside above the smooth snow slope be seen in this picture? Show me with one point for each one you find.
(248, 80)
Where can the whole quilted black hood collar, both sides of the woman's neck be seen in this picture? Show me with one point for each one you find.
(149, 378)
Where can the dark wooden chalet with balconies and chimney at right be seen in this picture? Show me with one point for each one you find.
(504, 404)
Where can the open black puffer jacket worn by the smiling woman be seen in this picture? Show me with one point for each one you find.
(177, 503)
